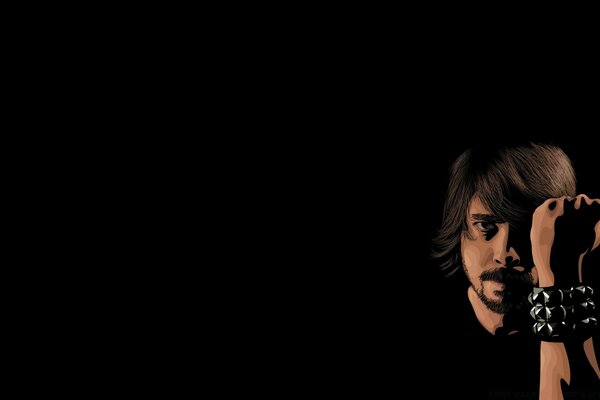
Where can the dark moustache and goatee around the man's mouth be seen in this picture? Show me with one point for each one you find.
(517, 285)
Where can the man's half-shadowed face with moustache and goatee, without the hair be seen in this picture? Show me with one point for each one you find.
(497, 259)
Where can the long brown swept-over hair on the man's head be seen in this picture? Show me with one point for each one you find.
(509, 181)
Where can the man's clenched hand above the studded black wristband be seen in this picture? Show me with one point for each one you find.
(563, 230)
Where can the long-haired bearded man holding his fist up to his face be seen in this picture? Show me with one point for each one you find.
(512, 220)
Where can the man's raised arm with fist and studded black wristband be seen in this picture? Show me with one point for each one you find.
(561, 236)
